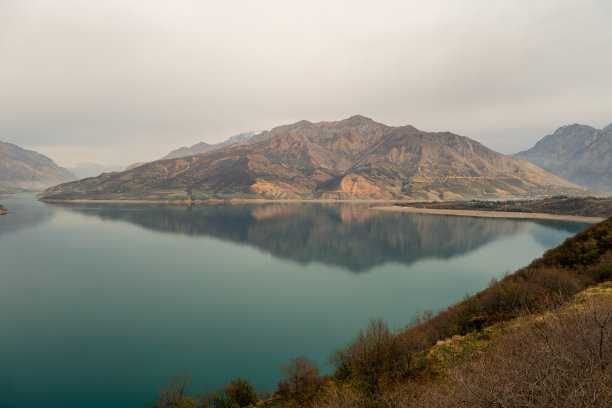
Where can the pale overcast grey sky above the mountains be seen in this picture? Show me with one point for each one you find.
(124, 81)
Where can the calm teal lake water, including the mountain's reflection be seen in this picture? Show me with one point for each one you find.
(100, 304)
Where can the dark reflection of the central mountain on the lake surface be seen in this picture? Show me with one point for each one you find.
(352, 236)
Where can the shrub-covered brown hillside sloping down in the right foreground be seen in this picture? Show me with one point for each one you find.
(539, 337)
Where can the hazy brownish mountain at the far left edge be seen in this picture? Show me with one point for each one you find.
(26, 170)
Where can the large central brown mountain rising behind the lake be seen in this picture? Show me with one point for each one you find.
(355, 158)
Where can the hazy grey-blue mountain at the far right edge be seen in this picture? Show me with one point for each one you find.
(578, 153)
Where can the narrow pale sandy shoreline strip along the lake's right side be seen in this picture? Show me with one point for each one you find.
(490, 214)
